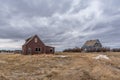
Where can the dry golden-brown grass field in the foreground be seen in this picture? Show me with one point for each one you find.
(62, 66)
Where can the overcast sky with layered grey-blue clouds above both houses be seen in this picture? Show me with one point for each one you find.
(60, 23)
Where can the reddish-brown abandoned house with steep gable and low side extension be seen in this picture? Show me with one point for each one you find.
(34, 45)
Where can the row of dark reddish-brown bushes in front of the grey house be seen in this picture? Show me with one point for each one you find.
(104, 49)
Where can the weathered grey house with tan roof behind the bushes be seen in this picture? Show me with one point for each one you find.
(92, 44)
